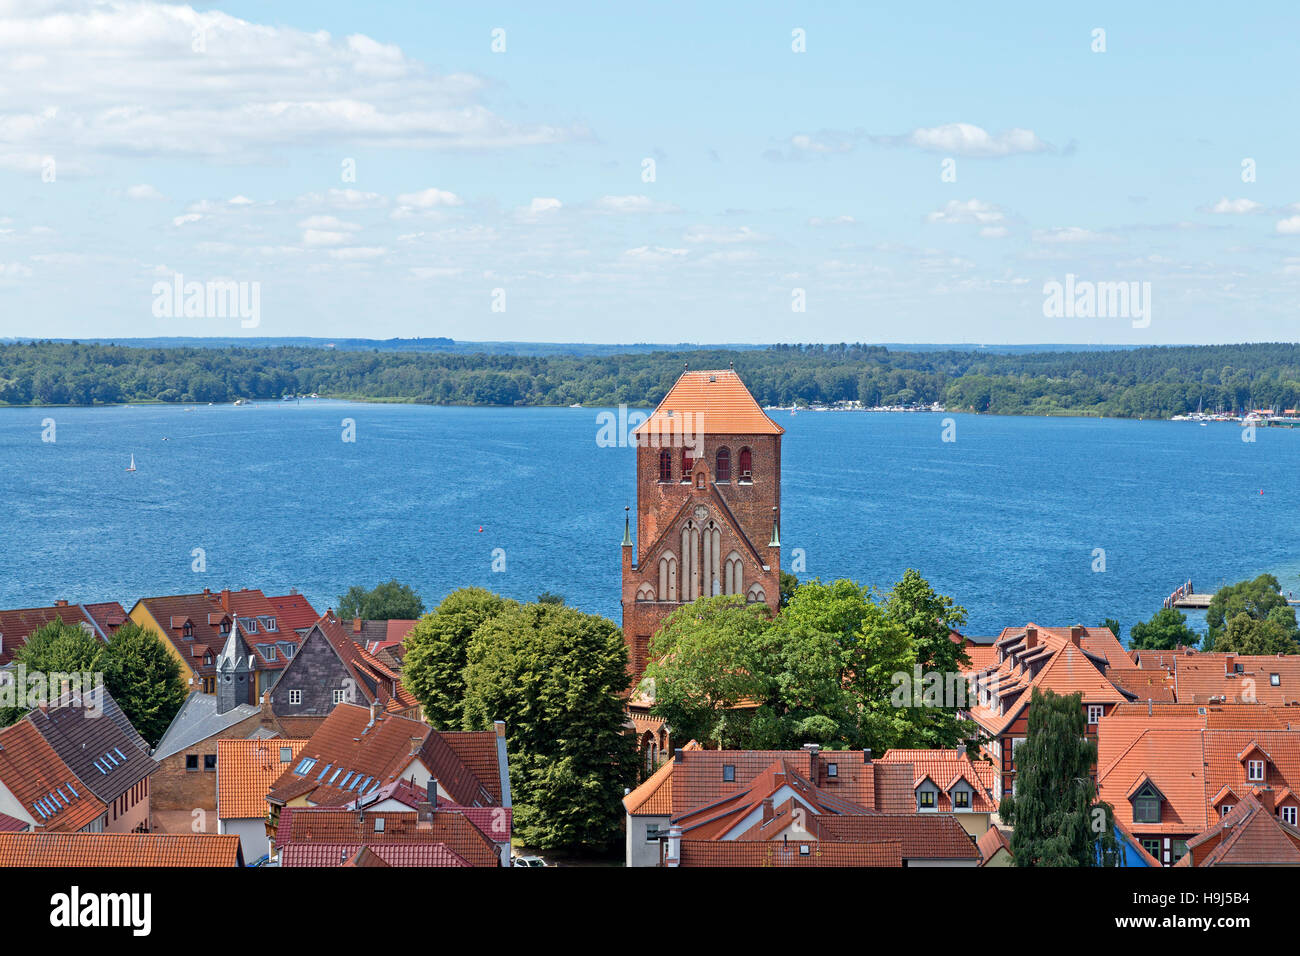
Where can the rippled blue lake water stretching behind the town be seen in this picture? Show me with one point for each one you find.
(1007, 518)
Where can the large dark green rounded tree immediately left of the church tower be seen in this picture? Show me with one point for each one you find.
(557, 678)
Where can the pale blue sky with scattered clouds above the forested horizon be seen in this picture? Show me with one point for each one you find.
(517, 178)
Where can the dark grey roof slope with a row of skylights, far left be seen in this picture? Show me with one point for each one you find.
(103, 756)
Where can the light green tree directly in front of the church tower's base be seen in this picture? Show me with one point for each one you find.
(705, 661)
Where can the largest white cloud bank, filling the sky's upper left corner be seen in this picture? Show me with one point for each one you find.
(157, 80)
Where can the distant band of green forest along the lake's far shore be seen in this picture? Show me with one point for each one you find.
(1139, 383)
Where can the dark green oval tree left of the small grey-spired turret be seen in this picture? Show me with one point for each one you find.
(145, 680)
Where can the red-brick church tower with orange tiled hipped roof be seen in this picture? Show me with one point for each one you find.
(709, 498)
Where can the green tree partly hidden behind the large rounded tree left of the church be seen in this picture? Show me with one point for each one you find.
(437, 651)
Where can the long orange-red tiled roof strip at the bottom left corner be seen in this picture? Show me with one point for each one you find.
(120, 850)
